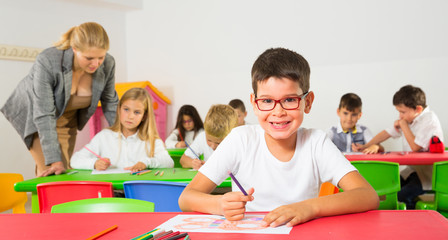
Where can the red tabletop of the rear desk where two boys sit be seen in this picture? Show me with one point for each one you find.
(402, 158)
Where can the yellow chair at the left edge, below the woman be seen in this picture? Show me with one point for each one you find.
(10, 199)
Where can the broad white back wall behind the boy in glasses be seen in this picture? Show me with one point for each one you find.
(201, 52)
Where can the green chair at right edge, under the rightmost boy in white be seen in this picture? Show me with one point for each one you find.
(440, 188)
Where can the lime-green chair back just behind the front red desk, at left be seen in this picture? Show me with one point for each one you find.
(94, 205)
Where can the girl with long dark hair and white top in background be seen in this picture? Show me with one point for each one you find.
(188, 126)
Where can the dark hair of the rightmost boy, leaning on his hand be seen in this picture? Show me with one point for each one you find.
(410, 96)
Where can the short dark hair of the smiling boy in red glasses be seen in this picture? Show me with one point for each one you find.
(281, 63)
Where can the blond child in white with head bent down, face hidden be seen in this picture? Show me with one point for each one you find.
(220, 120)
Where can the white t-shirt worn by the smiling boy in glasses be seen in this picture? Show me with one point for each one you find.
(244, 153)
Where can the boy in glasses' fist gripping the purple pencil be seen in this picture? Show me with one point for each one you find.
(233, 204)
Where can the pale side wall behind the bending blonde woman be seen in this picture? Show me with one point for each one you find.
(39, 24)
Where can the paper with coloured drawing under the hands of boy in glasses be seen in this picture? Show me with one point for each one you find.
(218, 224)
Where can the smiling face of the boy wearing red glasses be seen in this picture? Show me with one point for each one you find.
(278, 123)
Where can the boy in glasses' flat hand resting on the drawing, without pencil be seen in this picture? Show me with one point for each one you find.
(291, 214)
